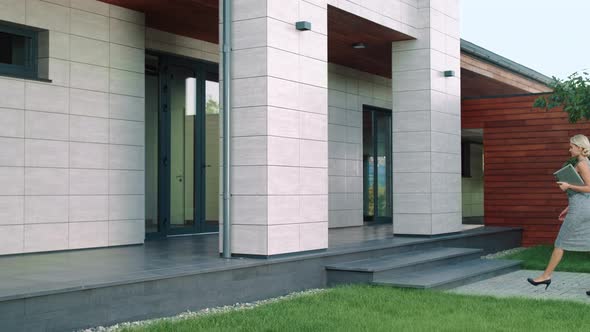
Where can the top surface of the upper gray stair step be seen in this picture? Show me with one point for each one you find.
(404, 259)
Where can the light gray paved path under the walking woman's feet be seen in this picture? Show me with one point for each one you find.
(566, 286)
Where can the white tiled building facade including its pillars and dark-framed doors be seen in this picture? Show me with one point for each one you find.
(103, 148)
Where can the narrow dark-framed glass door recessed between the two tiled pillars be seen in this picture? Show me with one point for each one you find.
(377, 164)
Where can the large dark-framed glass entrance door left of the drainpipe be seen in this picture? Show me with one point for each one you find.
(186, 132)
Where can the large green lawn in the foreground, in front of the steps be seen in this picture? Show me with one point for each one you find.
(372, 308)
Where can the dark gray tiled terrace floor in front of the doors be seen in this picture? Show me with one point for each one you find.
(48, 273)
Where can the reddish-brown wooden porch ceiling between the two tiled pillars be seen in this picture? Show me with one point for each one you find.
(345, 29)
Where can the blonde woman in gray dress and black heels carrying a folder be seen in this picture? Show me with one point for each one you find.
(574, 234)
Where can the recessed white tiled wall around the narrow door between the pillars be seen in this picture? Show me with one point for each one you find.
(348, 91)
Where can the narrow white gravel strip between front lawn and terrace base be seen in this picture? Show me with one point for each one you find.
(204, 312)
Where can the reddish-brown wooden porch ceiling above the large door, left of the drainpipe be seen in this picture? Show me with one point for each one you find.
(191, 18)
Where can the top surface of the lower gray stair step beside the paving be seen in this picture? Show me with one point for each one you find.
(448, 276)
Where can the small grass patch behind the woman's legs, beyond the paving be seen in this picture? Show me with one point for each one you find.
(536, 258)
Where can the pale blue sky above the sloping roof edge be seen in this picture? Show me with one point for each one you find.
(549, 36)
